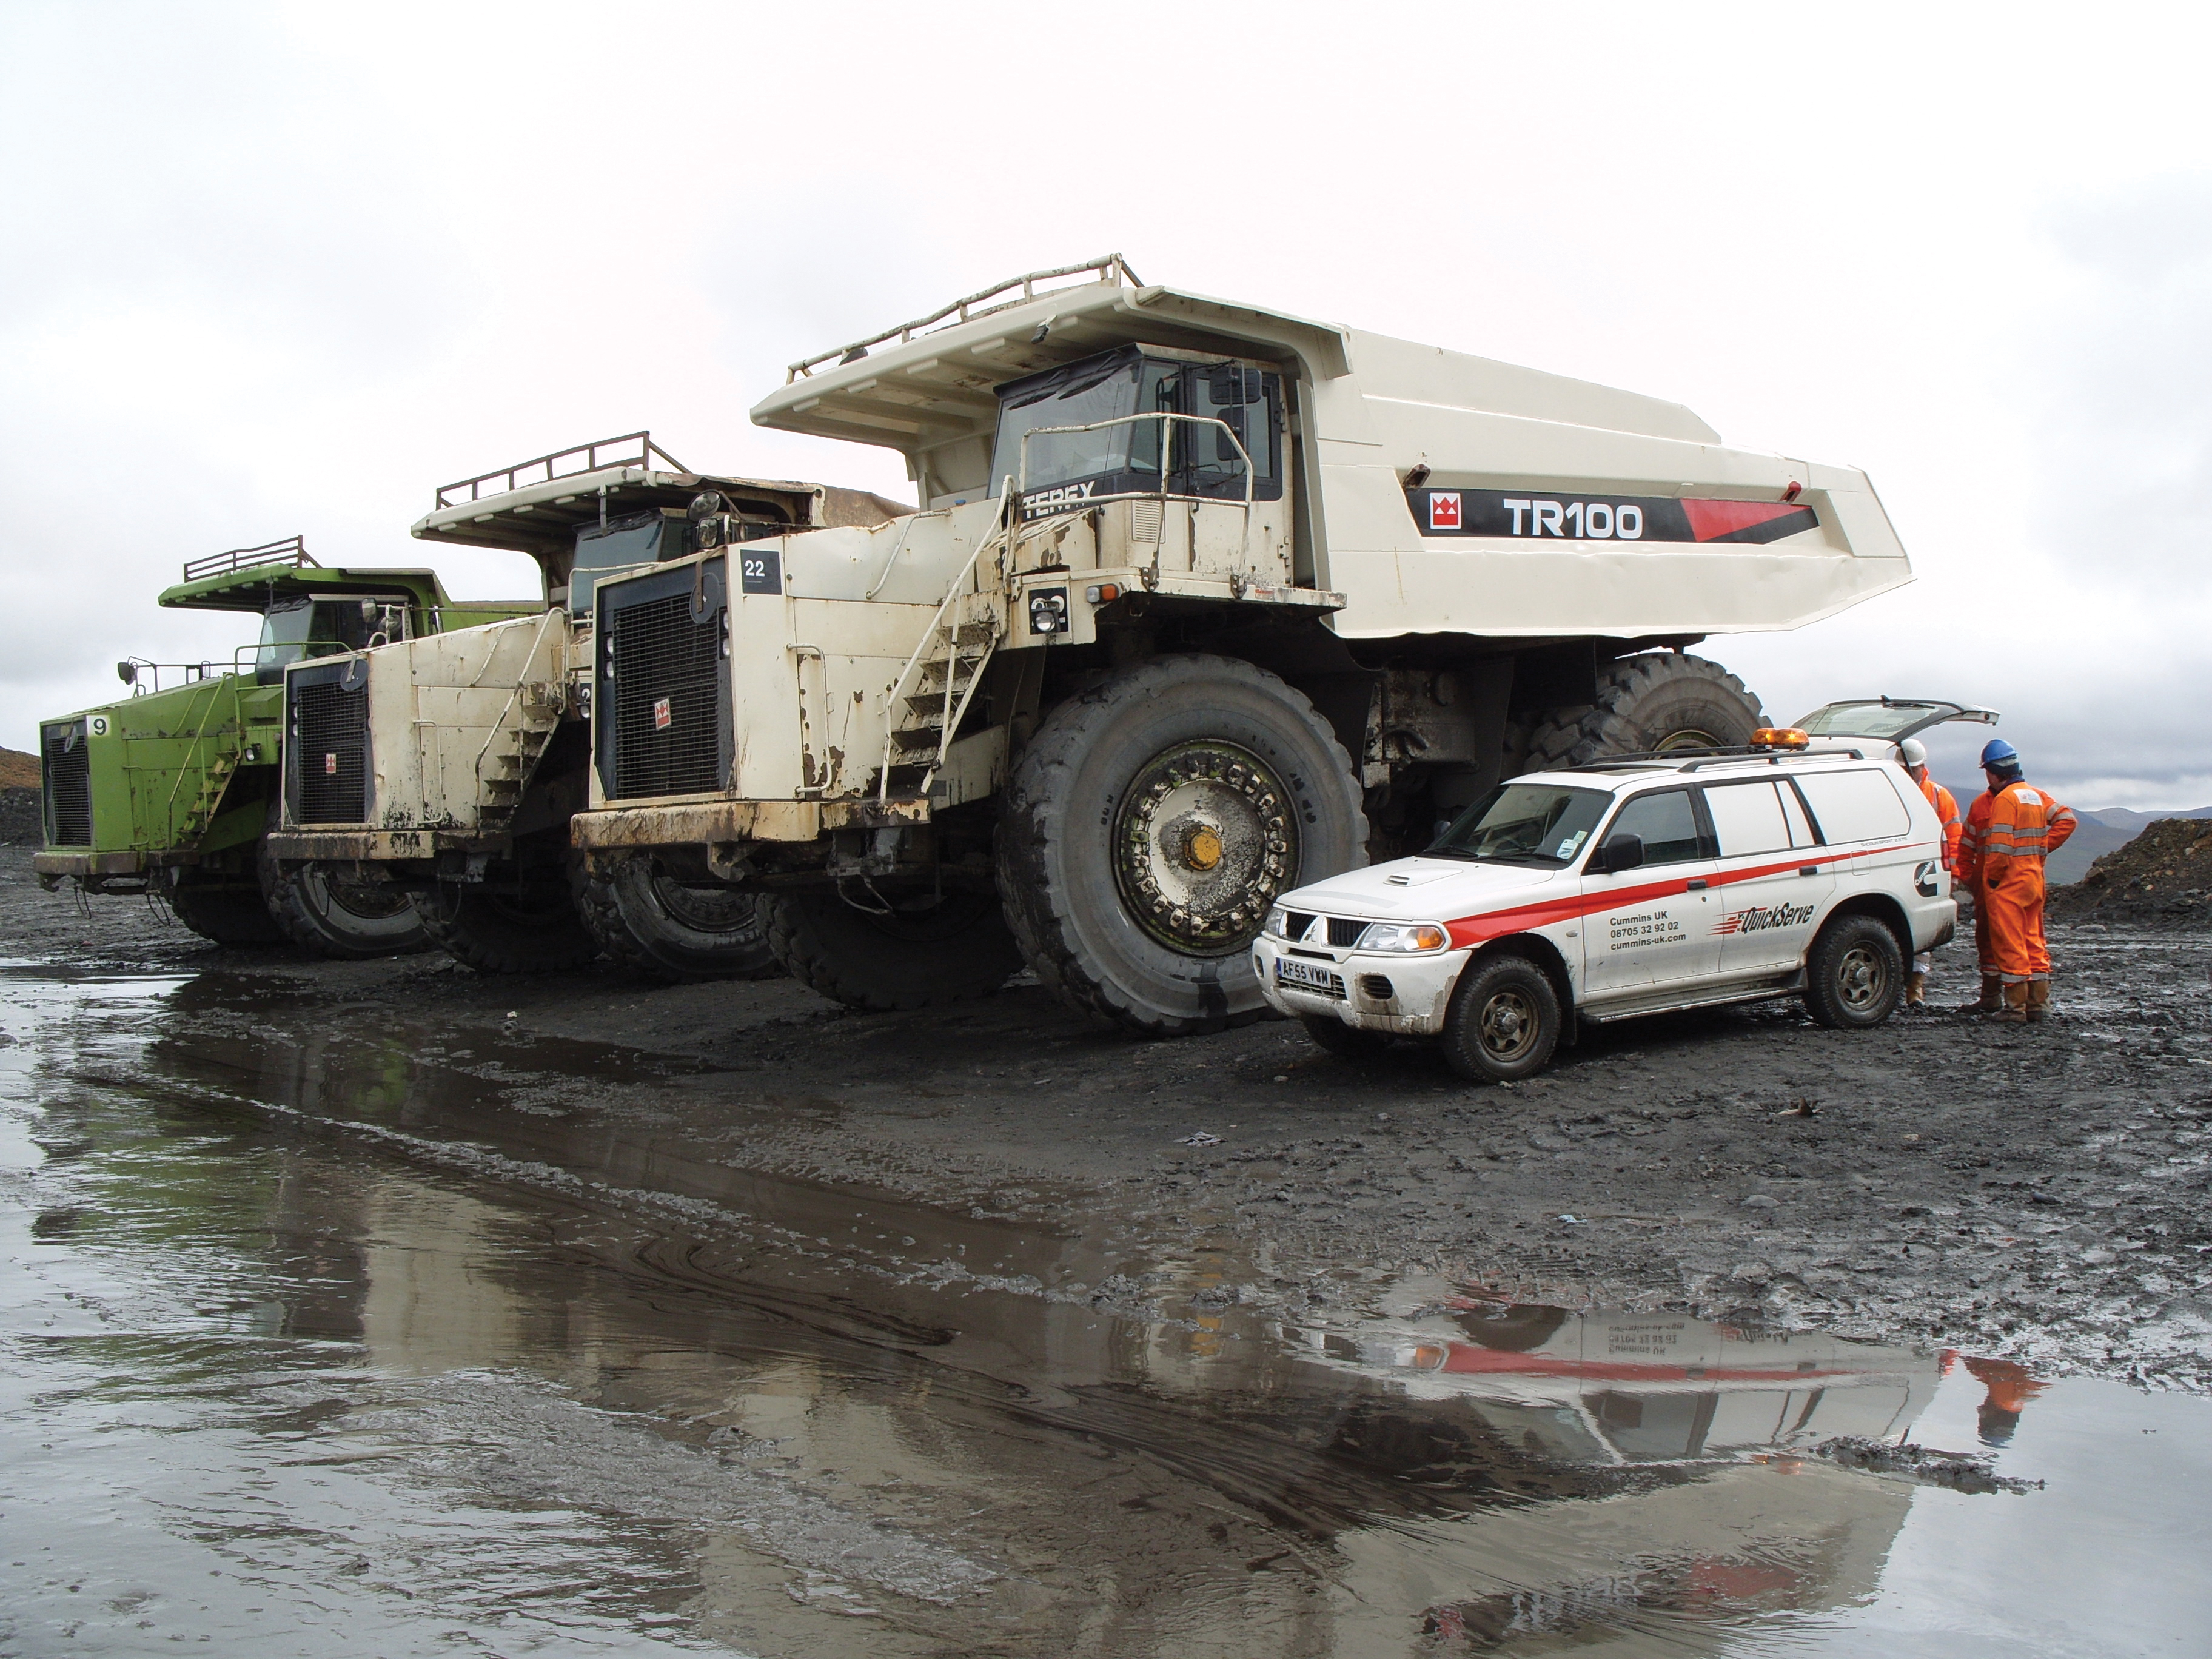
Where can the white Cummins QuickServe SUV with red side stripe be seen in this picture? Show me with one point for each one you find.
(1623, 888)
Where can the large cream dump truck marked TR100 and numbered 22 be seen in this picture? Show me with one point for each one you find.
(1204, 603)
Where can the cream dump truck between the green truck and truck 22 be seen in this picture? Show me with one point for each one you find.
(446, 769)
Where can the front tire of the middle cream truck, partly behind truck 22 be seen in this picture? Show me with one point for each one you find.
(665, 930)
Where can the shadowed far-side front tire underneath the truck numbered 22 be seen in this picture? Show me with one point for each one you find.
(921, 957)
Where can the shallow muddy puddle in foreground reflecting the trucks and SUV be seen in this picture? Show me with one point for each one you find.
(390, 1337)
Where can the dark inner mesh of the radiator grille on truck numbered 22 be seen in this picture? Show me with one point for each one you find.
(665, 678)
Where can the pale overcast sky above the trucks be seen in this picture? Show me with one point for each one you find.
(286, 269)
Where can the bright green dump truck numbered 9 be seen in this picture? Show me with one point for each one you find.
(171, 791)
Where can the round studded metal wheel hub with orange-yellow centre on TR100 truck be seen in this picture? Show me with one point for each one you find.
(1204, 842)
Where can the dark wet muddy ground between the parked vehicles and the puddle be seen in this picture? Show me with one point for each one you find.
(2032, 1193)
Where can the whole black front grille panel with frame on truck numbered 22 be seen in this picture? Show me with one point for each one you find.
(665, 685)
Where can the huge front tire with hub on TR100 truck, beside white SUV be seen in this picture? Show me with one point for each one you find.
(1154, 822)
